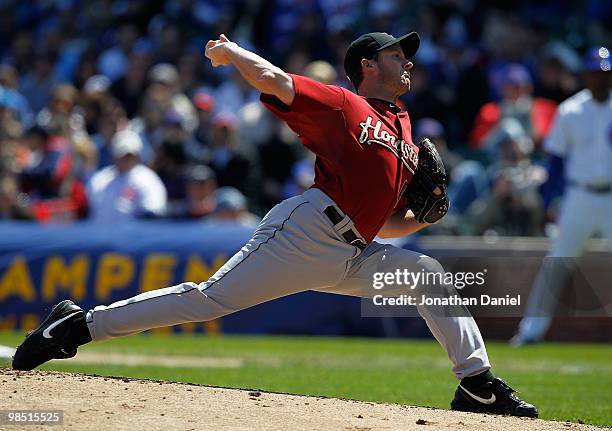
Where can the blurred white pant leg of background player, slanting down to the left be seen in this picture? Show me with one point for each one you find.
(577, 221)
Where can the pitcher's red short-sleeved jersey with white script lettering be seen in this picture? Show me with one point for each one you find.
(364, 163)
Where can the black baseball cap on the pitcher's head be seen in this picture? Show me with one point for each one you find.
(367, 45)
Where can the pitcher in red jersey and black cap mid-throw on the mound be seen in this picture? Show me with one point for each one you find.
(371, 179)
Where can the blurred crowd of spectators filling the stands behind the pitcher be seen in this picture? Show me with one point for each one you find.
(110, 112)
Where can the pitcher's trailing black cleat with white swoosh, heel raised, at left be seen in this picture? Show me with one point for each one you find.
(53, 339)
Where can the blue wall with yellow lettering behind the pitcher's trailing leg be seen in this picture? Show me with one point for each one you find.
(41, 265)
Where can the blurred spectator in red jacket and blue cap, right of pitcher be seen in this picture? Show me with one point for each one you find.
(535, 115)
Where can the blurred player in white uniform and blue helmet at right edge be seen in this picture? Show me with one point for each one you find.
(580, 144)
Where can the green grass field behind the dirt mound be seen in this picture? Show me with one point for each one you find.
(566, 381)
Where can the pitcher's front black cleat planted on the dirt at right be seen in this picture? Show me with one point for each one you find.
(492, 397)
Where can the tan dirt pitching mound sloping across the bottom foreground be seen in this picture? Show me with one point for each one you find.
(100, 403)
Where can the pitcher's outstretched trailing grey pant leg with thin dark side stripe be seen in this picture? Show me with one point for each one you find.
(291, 251)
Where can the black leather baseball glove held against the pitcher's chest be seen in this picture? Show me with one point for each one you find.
(427, 205)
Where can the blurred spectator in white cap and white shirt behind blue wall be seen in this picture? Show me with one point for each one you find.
(128, 189)
